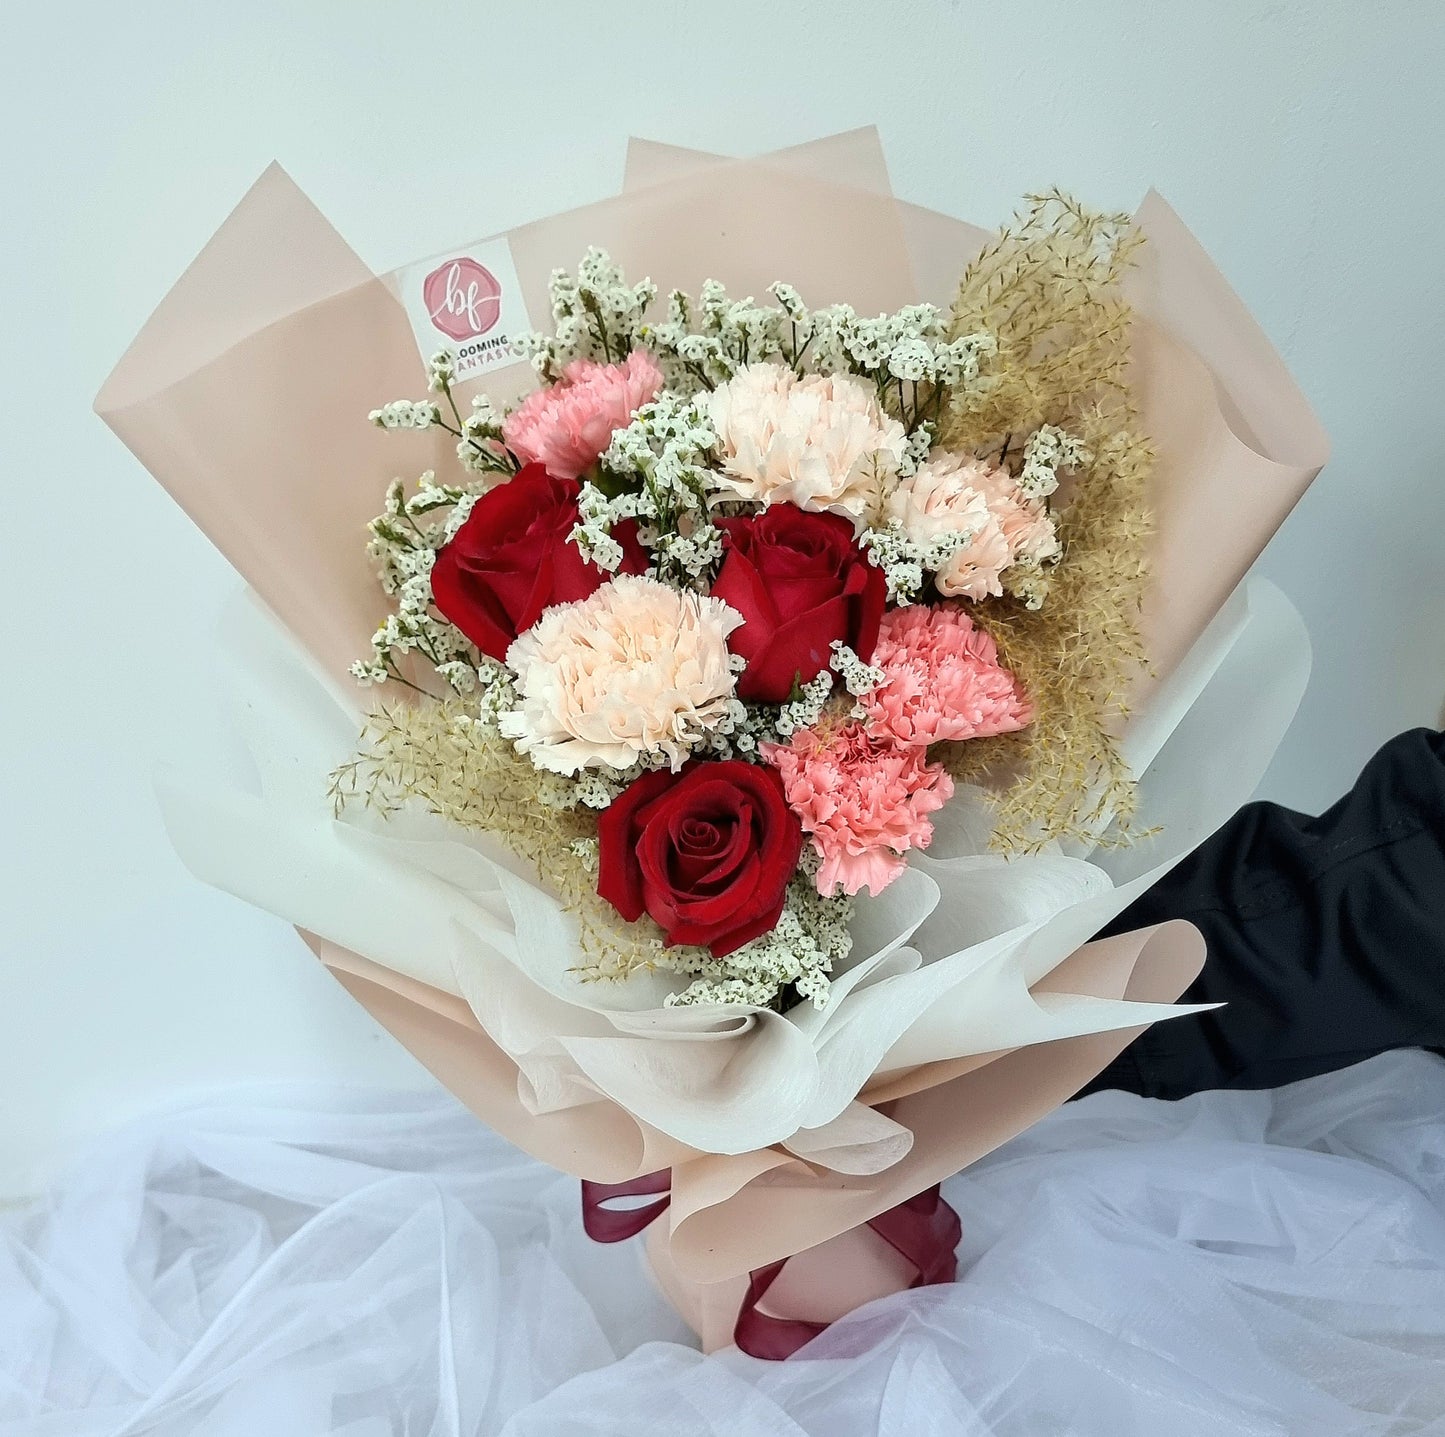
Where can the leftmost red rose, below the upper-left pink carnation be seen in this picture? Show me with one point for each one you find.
(512, 559)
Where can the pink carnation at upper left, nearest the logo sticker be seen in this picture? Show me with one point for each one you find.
(571, 423)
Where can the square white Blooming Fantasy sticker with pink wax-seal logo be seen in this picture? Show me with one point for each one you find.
(470, 303)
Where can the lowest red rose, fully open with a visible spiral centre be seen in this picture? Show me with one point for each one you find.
(707, 852)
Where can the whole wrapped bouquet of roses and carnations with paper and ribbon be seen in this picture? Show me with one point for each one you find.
(771, 696)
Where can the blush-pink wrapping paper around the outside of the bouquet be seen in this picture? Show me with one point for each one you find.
(278, 317)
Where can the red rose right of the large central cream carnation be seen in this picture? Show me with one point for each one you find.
(800, 582)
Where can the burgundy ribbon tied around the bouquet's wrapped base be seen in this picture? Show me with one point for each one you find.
(924, 1232)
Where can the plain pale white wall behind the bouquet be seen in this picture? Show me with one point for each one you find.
(1300, 138)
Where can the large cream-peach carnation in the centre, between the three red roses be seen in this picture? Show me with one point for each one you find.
(638, 669)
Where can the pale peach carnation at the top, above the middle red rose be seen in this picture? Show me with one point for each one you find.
(819, 442)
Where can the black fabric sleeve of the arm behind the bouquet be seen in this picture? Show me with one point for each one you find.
(1326, 936)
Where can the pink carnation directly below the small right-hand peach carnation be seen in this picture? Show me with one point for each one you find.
(943, 680)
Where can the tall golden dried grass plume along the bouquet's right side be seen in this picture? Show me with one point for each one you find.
(1048, 290)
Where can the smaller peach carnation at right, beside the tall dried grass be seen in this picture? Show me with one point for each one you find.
(956, 492)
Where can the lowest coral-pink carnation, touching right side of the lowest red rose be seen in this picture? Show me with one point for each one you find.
(862, 803)
